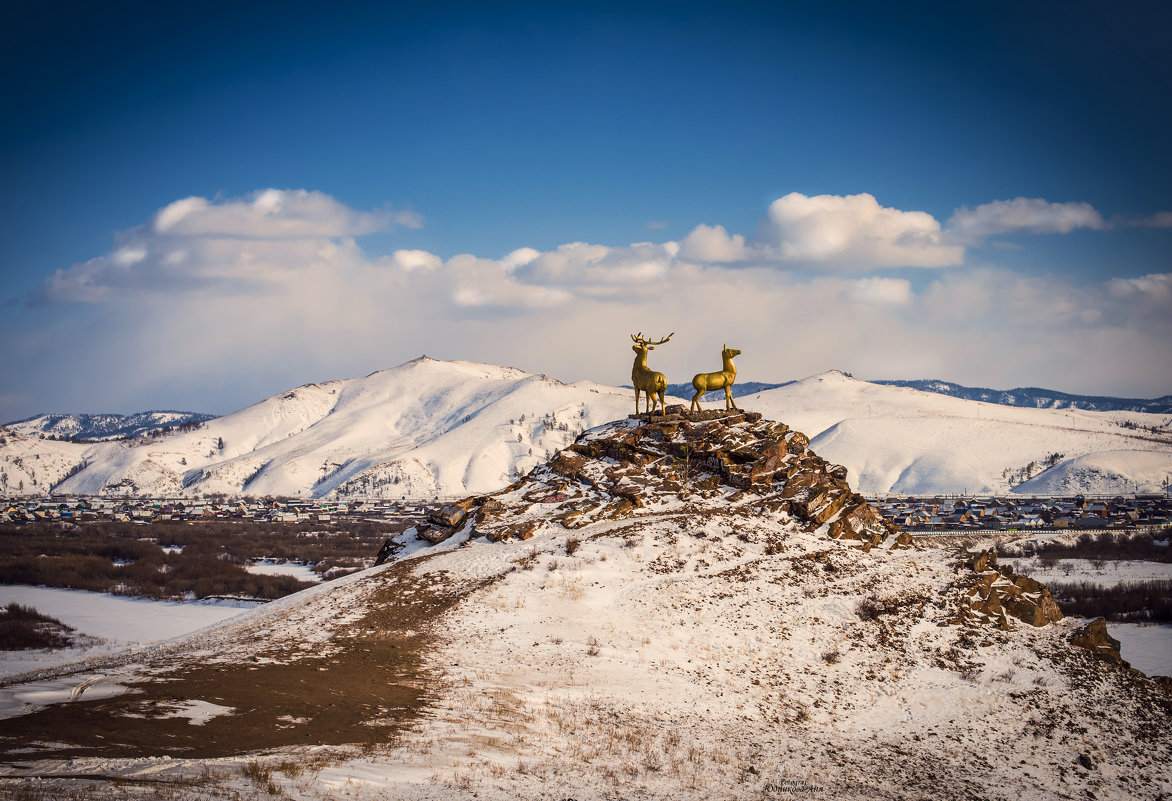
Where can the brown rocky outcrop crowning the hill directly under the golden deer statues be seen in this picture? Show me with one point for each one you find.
(706, 459)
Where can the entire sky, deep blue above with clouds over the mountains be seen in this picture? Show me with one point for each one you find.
(976, 194)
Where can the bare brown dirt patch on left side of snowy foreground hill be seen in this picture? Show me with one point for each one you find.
(363, 687)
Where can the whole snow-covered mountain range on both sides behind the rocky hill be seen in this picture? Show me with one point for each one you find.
(434, 429)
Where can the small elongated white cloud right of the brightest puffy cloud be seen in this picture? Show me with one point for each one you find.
(1032, 215)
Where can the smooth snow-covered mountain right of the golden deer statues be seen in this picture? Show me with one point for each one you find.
(903, 440)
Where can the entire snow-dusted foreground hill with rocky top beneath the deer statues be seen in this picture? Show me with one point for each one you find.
(672, 608)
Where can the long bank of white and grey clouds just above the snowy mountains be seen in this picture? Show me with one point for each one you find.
(269, 293)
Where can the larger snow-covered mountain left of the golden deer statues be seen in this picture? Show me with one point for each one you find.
(423, 430)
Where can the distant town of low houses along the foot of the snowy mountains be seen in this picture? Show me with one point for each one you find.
(925, 514)
